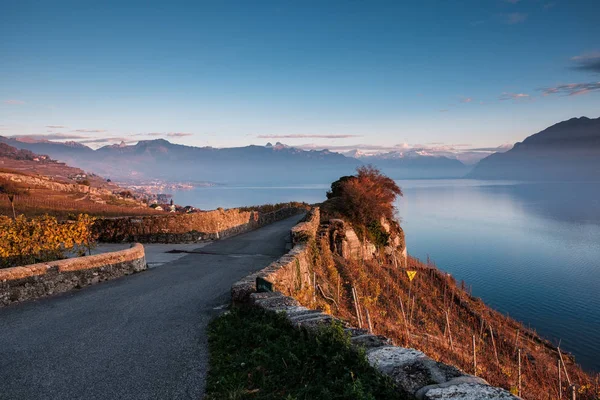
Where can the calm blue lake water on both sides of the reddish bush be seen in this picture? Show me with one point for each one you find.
(529, 250)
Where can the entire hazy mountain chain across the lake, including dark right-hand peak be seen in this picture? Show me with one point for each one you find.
(569, 150)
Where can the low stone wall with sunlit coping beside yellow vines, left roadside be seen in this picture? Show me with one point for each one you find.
(44, 279)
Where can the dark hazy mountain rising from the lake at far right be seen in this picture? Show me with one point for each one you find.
(569, 150)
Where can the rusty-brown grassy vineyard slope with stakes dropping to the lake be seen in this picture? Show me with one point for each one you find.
(384, 291)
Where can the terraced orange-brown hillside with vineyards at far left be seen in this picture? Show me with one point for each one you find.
(43, 185)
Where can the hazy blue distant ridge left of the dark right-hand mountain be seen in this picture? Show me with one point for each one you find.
(270, 164)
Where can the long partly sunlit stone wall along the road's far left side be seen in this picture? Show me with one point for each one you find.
(187, 228)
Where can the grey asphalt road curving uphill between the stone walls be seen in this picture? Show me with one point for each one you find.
(138, 337)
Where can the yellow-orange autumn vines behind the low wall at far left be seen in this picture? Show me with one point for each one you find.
(41, 239)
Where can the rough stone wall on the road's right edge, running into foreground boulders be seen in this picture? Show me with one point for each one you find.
(415, 375)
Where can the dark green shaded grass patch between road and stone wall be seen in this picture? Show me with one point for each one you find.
(259, 355)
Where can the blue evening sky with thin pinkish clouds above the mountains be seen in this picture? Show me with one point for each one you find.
(374, 75)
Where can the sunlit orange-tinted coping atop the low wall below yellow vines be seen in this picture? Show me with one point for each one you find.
(73, 264)
